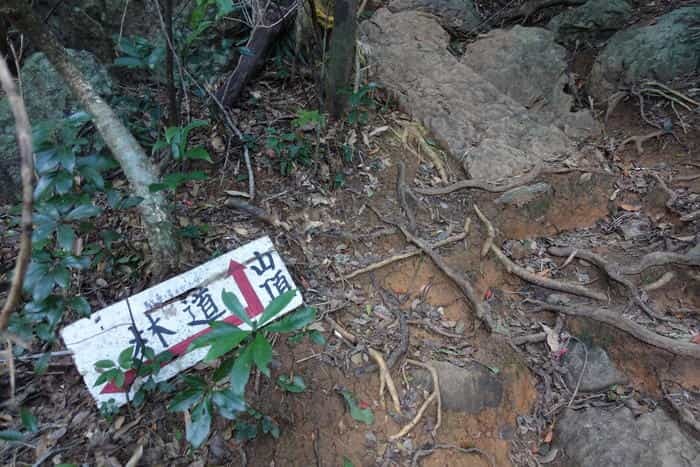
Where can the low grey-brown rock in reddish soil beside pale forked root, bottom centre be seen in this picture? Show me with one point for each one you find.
(470, 389)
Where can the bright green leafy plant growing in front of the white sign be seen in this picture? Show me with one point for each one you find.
(223, 391)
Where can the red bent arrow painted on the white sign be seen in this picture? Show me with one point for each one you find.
(254, 308)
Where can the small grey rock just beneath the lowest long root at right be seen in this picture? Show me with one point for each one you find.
(600, 372)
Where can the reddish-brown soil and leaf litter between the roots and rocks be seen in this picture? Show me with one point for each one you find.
(621, 214)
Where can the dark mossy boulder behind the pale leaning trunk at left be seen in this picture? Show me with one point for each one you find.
(45, 97)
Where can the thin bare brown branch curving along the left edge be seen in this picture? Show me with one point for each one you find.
(24, 142)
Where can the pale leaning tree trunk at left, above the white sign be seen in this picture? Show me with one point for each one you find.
(126, 150)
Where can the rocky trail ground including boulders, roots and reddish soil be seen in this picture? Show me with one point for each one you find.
(578, 341)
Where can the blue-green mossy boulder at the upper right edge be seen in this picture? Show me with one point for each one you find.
(662, 51)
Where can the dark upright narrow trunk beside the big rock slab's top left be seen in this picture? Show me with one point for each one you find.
(341, 56)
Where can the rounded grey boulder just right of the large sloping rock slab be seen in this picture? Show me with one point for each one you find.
(529, 66)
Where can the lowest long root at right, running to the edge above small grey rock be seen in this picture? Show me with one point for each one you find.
(617, 321)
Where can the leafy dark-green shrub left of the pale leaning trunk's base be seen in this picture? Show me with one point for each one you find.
(69, 165)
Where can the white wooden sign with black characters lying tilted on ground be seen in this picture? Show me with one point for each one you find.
(169, 316)
